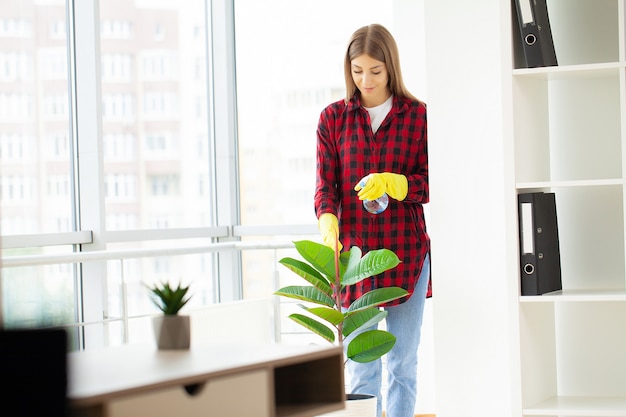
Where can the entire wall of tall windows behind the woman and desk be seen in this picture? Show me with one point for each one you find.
(123, 144)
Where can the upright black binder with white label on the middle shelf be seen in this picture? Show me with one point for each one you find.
(540, 261)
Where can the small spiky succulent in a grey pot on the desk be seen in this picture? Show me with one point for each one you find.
(171, 329)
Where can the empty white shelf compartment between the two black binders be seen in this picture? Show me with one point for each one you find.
(567, 126)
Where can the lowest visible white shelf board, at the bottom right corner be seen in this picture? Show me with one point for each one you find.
(579, 406)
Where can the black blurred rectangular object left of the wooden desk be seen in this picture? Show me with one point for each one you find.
(34, 370)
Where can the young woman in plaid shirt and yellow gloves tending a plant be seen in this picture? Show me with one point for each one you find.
(370, 143)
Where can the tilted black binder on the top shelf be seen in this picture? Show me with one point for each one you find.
(535, 33)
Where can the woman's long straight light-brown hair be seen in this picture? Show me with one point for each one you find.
(377, 42)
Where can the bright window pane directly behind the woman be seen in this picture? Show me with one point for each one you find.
(287, 72)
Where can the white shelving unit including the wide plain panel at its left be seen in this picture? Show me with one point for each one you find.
(497, 130)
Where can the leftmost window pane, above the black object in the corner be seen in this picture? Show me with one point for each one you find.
(36, 178)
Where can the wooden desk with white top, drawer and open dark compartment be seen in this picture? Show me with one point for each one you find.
(222, 381)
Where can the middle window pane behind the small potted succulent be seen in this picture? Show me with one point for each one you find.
(156, 147)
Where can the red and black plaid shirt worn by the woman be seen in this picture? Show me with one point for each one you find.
(348, 150)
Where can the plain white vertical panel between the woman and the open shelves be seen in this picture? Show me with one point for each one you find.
(468, 67)
